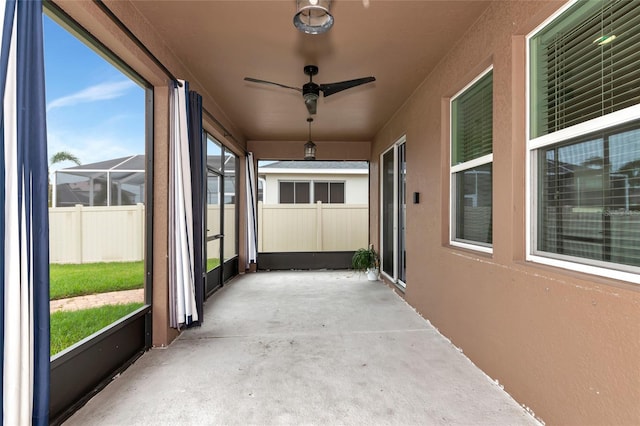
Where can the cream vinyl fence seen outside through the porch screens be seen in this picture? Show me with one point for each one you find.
(117, 233)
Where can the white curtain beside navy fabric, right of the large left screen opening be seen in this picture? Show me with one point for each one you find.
(182, 298)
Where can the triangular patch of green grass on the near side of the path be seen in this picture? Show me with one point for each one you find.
(69, 327)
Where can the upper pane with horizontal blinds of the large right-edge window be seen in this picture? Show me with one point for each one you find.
(585, 65)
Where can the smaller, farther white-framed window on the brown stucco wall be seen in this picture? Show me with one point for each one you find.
(471, 164)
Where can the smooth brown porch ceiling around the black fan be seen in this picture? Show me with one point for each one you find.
(221, 42)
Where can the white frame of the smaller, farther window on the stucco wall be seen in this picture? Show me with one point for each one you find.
(476, 162)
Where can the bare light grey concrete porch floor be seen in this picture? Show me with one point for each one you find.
(305, 348)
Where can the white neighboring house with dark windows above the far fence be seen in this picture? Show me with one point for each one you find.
(304, 182)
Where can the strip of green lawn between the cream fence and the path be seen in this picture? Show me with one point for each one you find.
(71, 280)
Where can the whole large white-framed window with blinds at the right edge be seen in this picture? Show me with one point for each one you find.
(584, 139)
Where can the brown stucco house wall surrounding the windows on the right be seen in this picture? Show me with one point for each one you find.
(563, 343)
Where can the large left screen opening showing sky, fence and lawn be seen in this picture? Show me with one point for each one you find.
(99, 204)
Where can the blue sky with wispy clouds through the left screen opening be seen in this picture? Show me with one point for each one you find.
(94, 111)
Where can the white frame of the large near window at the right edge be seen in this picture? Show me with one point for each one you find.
(622, 272)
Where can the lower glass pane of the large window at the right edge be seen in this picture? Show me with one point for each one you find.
(589, 198)
